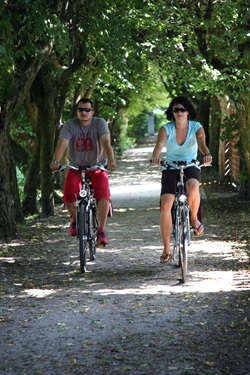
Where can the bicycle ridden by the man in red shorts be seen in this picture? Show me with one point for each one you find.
(86, 214)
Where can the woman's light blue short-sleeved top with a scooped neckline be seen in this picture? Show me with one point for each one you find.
(188, 150)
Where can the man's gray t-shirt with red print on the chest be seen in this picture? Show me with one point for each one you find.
(84, 141)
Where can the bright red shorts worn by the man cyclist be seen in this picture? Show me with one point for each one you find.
(72, 185)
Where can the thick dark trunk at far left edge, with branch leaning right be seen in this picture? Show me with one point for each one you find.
(10, 207)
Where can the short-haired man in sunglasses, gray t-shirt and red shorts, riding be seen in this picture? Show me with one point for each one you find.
(87, 139)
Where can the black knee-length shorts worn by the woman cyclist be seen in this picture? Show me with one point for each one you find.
(170, 178)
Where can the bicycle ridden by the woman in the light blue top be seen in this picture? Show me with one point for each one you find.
(181, 217)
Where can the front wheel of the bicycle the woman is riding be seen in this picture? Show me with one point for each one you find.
(184, 244)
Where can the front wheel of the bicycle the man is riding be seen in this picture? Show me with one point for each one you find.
(82, 236)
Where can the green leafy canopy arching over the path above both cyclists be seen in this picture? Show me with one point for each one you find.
(129, 57)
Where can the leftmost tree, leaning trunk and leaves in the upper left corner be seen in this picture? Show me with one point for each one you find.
(25, 52)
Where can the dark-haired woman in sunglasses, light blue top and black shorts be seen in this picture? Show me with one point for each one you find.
(182, 138)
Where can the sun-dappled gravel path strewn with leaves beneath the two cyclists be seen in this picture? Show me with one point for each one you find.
(128, 314)
